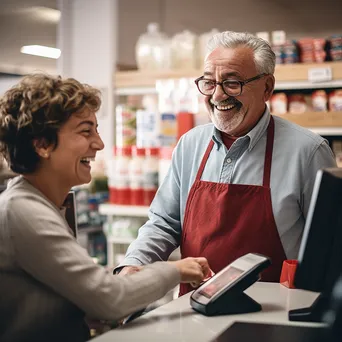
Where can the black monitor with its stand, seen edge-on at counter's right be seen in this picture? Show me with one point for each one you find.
(320, 253)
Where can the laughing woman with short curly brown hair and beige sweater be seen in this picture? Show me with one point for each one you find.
(48, 283)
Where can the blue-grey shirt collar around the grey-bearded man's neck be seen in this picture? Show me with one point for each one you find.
(253, 135)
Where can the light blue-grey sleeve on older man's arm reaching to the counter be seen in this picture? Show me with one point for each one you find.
(161, 234)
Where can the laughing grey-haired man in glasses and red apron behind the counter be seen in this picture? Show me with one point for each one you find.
(242, 183)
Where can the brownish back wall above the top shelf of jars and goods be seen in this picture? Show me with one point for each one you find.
(299, 18)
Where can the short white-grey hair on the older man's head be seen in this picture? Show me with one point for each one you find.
(264, 57)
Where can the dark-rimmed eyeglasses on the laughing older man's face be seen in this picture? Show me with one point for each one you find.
(229, 87)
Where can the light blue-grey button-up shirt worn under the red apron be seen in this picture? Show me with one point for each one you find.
(297, 156)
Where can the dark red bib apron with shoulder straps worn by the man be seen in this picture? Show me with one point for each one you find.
(225, 221)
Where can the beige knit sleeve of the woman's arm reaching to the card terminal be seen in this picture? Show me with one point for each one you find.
(46, 250)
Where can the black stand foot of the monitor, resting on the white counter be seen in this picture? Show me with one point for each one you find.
(313, 313)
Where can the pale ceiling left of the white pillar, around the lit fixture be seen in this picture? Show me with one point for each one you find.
(22, 23)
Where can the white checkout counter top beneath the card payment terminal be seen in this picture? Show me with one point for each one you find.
(177, 321)
